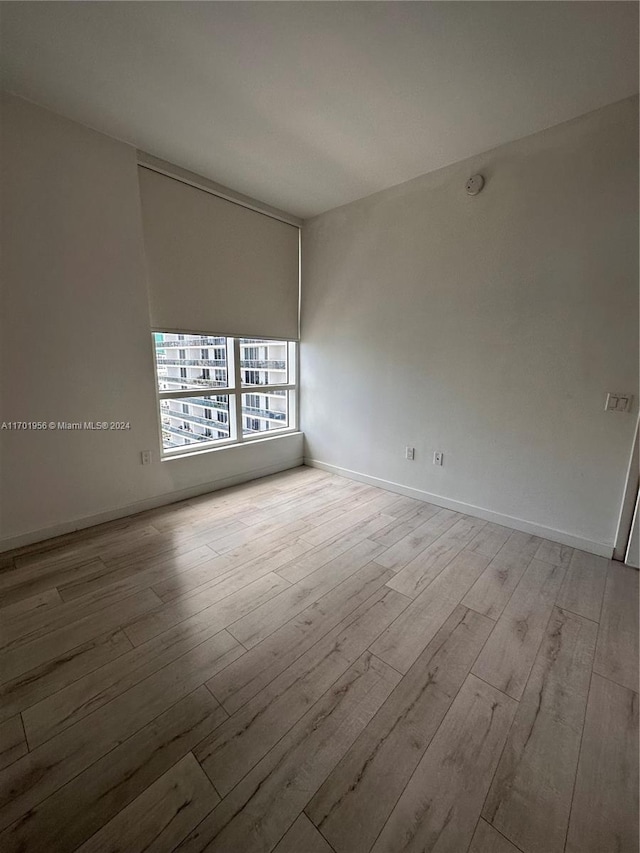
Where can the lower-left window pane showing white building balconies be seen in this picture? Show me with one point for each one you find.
(187, 421)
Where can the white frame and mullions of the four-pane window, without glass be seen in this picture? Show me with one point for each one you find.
(234, 390)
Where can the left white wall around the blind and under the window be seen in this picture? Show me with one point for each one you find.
(75, 342)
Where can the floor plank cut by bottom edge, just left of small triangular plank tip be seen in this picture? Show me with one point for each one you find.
(440, 806)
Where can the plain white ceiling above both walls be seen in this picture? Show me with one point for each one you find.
(309, 105)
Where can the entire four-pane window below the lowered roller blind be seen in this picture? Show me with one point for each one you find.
(188, 409)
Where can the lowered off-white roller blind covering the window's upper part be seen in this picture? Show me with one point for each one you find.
(215, 266)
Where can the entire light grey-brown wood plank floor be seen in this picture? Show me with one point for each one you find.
(306, 664)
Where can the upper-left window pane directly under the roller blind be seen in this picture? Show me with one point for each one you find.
(182, 365)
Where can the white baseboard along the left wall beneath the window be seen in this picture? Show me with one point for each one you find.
(11, 543)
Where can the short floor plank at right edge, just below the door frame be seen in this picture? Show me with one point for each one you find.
(617, 651)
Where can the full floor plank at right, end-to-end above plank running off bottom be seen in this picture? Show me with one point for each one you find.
(508, 656)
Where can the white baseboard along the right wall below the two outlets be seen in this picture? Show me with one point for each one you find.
(600, 548)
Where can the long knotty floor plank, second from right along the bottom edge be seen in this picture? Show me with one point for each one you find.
(530, 798)
